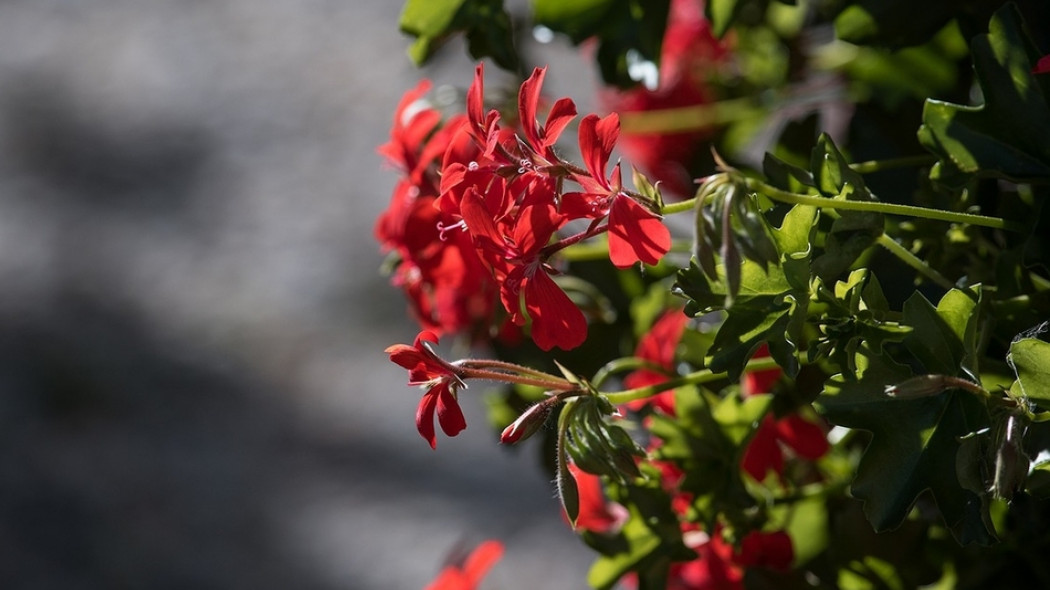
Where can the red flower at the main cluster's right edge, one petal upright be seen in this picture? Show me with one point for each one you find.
(636, 234)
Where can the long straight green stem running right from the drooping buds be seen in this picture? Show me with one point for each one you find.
(877, 207)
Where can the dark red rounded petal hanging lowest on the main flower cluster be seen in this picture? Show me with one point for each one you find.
(557, 322)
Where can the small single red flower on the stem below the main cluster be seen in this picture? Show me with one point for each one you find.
(439, 378)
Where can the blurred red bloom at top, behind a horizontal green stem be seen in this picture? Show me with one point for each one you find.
(689, 53)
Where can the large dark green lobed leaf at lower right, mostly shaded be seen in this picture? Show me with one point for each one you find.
(912, 441)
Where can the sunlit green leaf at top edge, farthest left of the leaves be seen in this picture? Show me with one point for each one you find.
(486, 24)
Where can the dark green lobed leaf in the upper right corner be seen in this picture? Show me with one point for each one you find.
(1006, 137)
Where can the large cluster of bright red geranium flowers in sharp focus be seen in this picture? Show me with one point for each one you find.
(477, 215)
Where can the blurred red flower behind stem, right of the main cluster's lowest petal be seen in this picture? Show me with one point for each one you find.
(658, 347)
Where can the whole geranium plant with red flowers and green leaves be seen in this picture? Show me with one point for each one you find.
(799, 338)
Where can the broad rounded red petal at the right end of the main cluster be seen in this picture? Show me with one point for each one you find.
(636, 235)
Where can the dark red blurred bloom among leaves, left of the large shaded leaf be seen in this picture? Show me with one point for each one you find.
(766, 452)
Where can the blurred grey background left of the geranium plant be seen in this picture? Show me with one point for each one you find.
(194, 392)
